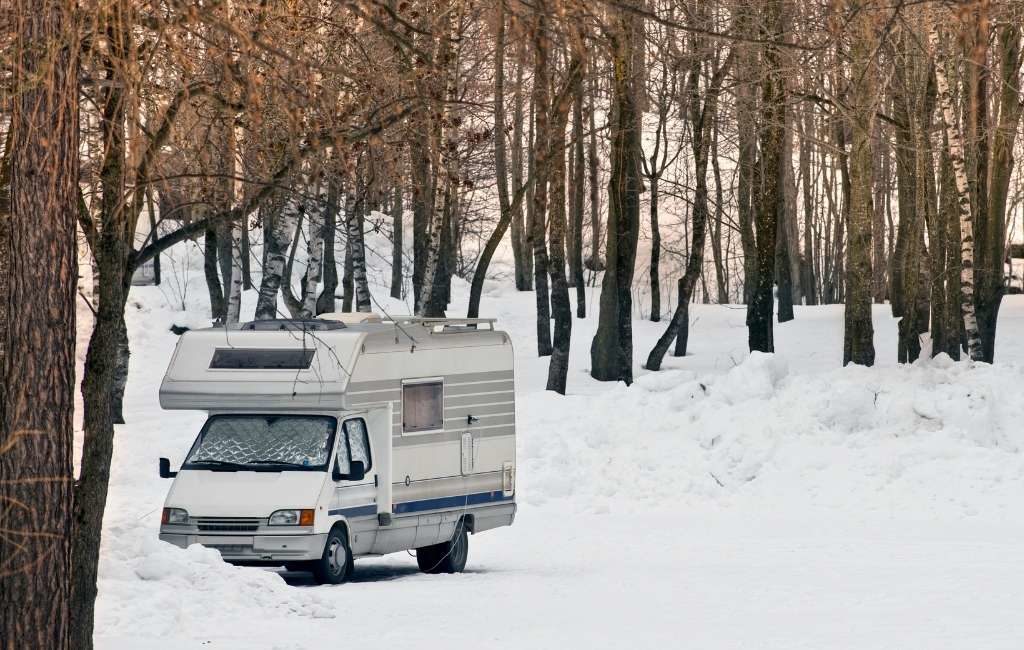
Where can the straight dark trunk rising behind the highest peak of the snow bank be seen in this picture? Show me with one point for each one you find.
(770, 200)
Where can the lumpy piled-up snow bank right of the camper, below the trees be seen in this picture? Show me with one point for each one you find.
(933, 439)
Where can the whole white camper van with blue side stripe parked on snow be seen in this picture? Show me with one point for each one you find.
(330, 441)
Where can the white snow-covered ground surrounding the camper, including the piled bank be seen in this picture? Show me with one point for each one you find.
(729, 502)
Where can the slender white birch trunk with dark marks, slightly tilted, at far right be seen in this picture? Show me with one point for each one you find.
(956, 144)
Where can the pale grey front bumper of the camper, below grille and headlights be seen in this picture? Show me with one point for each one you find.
(259, 548)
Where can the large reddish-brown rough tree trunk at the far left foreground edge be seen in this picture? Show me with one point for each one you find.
(37, 370)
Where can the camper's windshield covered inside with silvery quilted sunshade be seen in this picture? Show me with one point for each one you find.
(272, 443)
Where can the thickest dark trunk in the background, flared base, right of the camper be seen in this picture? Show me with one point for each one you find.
(612, 351)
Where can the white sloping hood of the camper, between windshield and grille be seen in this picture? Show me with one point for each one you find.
(208, 494)
